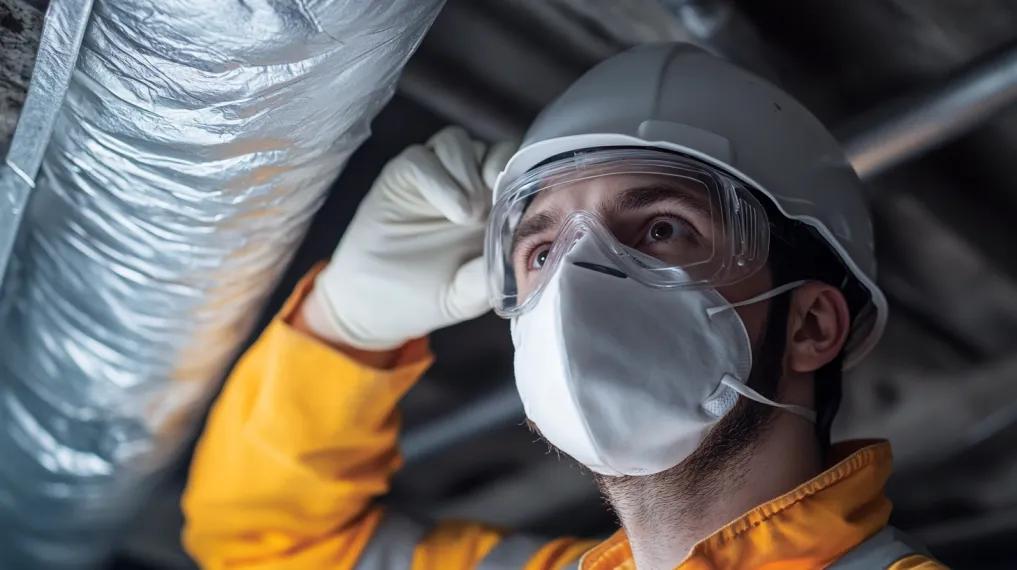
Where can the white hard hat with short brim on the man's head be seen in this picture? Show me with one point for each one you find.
(680, 98)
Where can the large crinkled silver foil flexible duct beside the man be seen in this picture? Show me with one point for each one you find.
(197, 140)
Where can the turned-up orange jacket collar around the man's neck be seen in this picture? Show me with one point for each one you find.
(812, 526)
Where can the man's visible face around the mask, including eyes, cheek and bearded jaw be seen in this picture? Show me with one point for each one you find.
(674, 220)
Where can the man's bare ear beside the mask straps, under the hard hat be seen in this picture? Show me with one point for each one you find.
(818, 326)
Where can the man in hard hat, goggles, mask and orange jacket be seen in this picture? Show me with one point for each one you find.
(687, 260)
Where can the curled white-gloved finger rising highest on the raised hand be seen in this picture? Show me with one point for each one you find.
(461, 157)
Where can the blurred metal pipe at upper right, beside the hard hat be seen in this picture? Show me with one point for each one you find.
(908, 128)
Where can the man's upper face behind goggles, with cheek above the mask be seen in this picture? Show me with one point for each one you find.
(673, 219)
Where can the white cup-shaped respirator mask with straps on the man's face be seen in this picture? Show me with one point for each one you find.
(626, 378)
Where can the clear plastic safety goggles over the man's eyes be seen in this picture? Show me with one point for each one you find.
(663, 219)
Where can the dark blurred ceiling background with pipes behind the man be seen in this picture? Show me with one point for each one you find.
(942, 385)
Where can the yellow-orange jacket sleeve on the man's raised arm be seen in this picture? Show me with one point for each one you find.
(298, 445)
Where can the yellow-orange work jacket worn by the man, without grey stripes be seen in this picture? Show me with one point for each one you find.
(303, 441)
